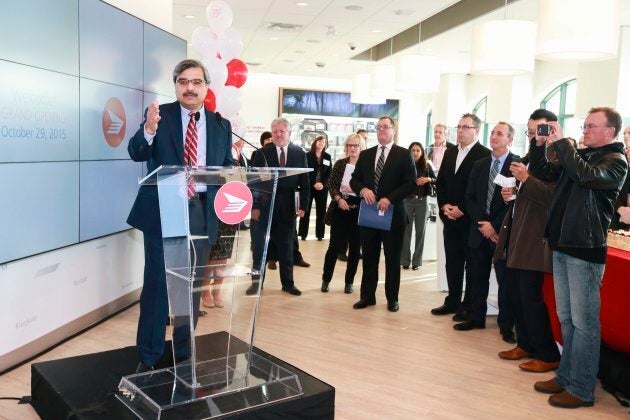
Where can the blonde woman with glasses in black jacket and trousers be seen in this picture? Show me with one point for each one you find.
(342, 216)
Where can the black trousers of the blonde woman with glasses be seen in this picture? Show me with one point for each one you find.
(343, 230)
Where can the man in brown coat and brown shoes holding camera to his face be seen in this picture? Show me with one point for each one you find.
(521, 243)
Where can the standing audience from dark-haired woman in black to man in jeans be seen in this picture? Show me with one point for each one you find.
(518, 215)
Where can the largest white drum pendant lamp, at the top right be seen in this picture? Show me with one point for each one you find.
(573, 35)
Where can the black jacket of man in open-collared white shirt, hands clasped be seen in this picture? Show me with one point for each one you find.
(451, 187)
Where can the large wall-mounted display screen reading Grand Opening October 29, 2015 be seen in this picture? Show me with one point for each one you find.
(72, 93)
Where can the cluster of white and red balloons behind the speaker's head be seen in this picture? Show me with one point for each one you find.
(219, 45)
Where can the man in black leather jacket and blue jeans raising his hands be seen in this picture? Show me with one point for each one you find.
(579, 216)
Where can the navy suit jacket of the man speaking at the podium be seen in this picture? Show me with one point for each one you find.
(167, 148)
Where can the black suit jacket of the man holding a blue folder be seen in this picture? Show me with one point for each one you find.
(397, 179)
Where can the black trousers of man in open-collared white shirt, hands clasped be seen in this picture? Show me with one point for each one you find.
(457, 256)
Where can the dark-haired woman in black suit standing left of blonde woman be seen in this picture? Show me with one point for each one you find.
(319, 160)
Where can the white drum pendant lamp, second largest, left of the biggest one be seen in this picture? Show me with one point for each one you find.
(503, 47)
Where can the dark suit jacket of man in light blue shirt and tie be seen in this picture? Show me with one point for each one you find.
(476, 197)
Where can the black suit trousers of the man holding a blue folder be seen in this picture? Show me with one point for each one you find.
(371, 241)
